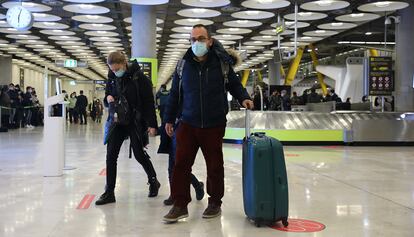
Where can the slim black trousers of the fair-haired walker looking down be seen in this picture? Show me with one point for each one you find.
(117, 137)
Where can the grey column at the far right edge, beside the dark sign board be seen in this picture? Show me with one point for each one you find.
(404, 91)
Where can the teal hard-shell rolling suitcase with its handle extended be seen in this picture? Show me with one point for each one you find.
(265, 187)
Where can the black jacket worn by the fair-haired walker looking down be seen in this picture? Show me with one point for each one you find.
(138, 92)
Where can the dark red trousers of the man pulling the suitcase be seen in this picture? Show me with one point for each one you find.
(189, 140)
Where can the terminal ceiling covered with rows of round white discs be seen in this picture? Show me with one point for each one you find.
(89, 29)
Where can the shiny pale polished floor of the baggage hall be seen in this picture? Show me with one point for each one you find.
(354, 191)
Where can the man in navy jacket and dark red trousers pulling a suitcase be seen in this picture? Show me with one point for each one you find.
(199, 90)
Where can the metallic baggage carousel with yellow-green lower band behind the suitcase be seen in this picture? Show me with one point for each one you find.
(316, 128)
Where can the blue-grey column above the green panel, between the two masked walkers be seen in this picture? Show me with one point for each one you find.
(144, 26)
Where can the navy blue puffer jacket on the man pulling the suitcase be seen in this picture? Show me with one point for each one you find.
(204, 101)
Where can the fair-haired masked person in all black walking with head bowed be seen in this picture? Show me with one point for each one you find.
(127, 82)
